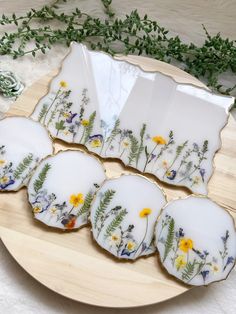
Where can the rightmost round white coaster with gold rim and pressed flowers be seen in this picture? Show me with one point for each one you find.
(196, 240)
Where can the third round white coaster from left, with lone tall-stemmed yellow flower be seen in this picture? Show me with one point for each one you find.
(123, 216)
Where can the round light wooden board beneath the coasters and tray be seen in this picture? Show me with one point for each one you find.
(70, 263)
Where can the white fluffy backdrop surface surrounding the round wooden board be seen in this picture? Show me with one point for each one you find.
(20, 293)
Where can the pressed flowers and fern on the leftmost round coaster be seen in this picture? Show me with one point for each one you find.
(11, 174)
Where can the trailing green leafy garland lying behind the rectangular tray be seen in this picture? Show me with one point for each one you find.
(133, 35)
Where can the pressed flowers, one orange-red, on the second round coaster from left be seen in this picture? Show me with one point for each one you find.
(67, 212)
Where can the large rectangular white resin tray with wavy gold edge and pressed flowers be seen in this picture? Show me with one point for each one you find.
(146, 119)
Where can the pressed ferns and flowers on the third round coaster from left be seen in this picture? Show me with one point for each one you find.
(107, 224)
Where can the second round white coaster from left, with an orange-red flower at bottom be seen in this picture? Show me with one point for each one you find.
(62, 188)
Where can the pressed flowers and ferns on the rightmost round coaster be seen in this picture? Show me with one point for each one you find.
(187, 260)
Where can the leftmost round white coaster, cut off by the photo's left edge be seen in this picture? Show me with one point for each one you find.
(23, 143)
